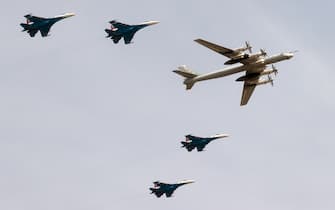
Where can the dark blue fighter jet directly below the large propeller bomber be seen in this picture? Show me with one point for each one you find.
(191, 142)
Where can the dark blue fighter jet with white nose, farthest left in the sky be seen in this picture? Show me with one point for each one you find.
(35, 24)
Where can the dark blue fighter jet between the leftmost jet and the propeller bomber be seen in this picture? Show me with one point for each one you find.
(119, 30)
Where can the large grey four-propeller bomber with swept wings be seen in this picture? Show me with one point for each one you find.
(253, 64)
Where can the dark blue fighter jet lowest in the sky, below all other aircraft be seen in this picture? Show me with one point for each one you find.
(160, 188)
